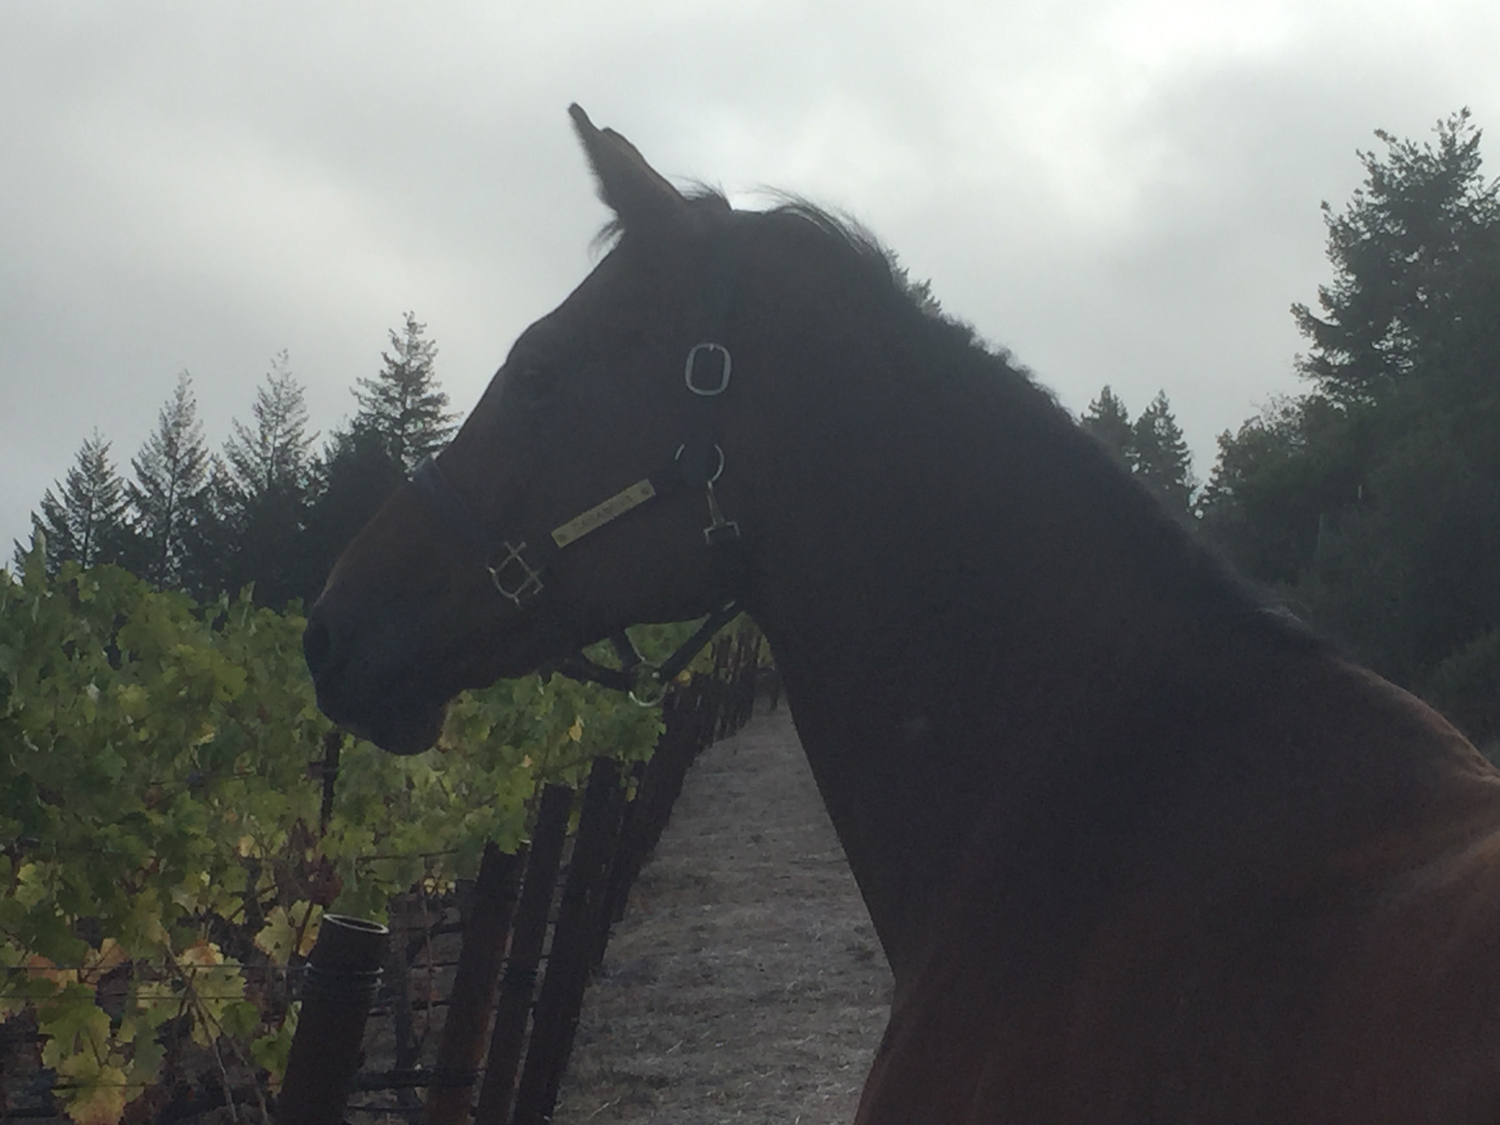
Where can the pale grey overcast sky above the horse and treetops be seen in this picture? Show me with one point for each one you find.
(1118, 191)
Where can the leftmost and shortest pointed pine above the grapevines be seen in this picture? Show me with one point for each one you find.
(85, 518)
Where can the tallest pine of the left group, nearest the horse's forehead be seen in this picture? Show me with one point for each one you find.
(403, 404)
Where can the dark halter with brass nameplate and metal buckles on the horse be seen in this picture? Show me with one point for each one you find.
(518, 562)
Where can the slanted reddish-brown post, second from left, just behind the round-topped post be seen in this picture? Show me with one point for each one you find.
(475, 988)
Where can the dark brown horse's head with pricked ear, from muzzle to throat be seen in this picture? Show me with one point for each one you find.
(595, 485)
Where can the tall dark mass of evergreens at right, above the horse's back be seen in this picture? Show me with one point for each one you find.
(1373, 502)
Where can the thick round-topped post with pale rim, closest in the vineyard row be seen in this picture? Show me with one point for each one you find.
(338, 991)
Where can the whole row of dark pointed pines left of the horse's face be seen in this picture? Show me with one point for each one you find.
(269, 509)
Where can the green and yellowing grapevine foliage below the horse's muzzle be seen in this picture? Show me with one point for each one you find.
(176, 817)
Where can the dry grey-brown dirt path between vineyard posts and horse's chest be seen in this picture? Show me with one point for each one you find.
(745, 983)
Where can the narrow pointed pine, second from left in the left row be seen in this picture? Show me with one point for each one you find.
(167, 496)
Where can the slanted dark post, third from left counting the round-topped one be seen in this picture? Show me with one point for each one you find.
(520, 979)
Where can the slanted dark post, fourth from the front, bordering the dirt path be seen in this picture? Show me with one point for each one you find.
(574, 943)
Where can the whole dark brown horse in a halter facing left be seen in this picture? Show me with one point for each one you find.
(1138, 845)
